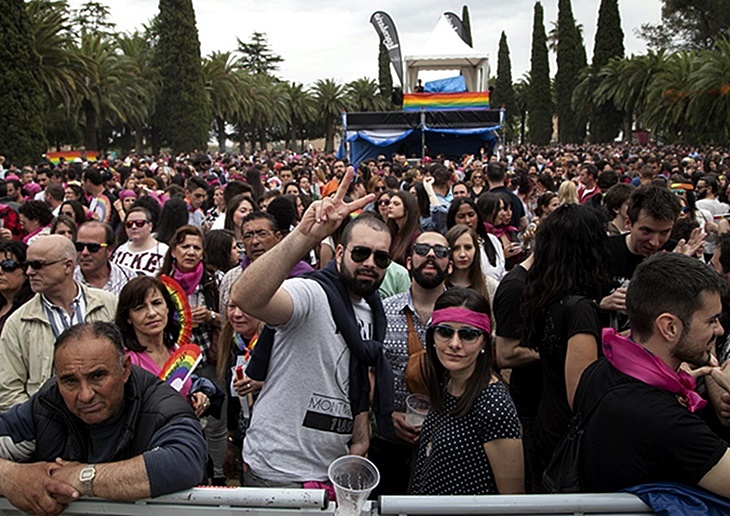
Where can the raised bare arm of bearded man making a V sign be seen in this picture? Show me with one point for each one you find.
(258, 291)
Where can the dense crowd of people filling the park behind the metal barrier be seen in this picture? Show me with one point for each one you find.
(511, 291)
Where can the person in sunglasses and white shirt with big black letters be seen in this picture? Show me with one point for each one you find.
(142, 252)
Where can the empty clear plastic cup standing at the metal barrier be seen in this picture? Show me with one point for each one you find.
(353, 477)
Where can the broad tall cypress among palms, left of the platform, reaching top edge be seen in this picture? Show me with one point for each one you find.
(183, 111)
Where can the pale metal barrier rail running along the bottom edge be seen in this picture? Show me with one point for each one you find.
(293, 502)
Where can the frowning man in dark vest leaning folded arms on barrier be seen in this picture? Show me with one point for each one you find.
(101, 427)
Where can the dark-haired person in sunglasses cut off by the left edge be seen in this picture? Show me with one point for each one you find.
(14, 286)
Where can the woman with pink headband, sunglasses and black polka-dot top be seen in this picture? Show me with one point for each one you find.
(470, 440)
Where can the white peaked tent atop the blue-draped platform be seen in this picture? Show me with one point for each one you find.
(445, 50)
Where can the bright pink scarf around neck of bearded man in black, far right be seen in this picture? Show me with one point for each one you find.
(633, 360)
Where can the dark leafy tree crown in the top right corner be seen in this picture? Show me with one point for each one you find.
(688, 25)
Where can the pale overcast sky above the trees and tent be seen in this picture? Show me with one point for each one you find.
(321, 39)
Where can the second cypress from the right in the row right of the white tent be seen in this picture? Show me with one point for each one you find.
(571, 63)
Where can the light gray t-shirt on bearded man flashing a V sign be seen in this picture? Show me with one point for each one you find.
(302, 420)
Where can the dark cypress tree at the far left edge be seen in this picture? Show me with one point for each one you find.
(22, 131)
